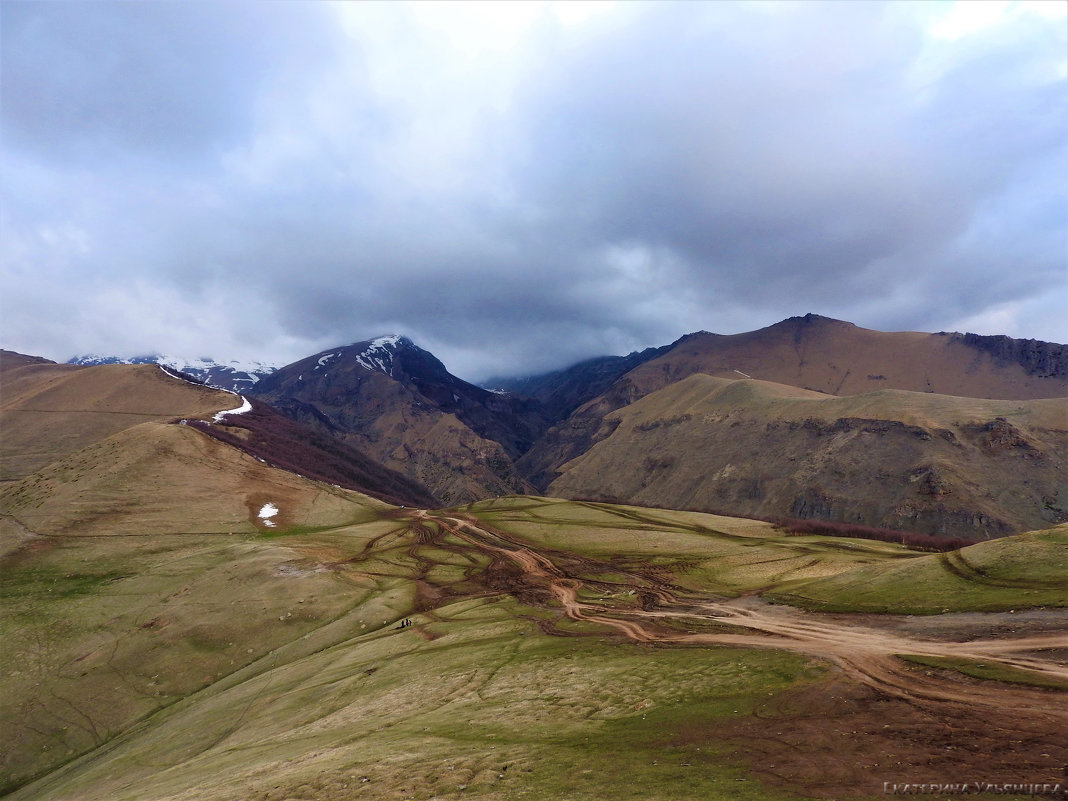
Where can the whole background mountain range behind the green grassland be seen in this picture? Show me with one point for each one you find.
(810, 418)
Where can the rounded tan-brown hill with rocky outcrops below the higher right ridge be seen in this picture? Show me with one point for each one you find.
(898, 460)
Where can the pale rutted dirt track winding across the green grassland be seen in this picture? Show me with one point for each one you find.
(863, 653)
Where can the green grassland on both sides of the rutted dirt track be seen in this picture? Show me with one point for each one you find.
(271, 665)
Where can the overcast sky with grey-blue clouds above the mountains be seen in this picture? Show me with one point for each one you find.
(517, 186)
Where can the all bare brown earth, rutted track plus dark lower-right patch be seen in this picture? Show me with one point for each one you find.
(882, 716)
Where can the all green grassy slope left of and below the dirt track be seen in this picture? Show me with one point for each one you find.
(272, 667)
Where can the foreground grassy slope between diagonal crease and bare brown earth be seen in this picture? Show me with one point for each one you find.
(486, 709)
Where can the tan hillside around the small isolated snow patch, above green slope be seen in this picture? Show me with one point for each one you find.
(159, 479)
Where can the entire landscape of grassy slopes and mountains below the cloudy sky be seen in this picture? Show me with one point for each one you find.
(212, 595)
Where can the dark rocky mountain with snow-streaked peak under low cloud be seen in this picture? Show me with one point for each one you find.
(398, 403)
